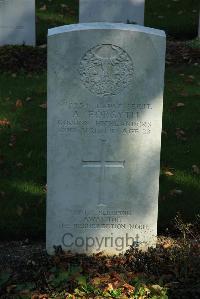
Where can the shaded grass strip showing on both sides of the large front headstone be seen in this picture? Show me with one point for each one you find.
(22, 187)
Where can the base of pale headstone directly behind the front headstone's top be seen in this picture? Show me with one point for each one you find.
(115, 11)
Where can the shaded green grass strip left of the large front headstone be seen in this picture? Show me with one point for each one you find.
(22, 155)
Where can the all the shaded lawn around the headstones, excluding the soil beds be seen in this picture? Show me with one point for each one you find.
(23, 127)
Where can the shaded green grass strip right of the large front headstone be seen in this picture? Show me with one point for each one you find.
(180, 154)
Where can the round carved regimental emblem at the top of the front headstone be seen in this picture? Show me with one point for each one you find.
(106, 70)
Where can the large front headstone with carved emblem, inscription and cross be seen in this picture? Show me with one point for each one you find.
(105, 98)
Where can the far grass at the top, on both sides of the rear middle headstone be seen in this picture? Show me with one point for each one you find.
(178, 18)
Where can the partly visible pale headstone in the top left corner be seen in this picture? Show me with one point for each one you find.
(17, 22)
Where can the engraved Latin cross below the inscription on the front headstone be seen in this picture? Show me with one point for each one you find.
(102, 164)
